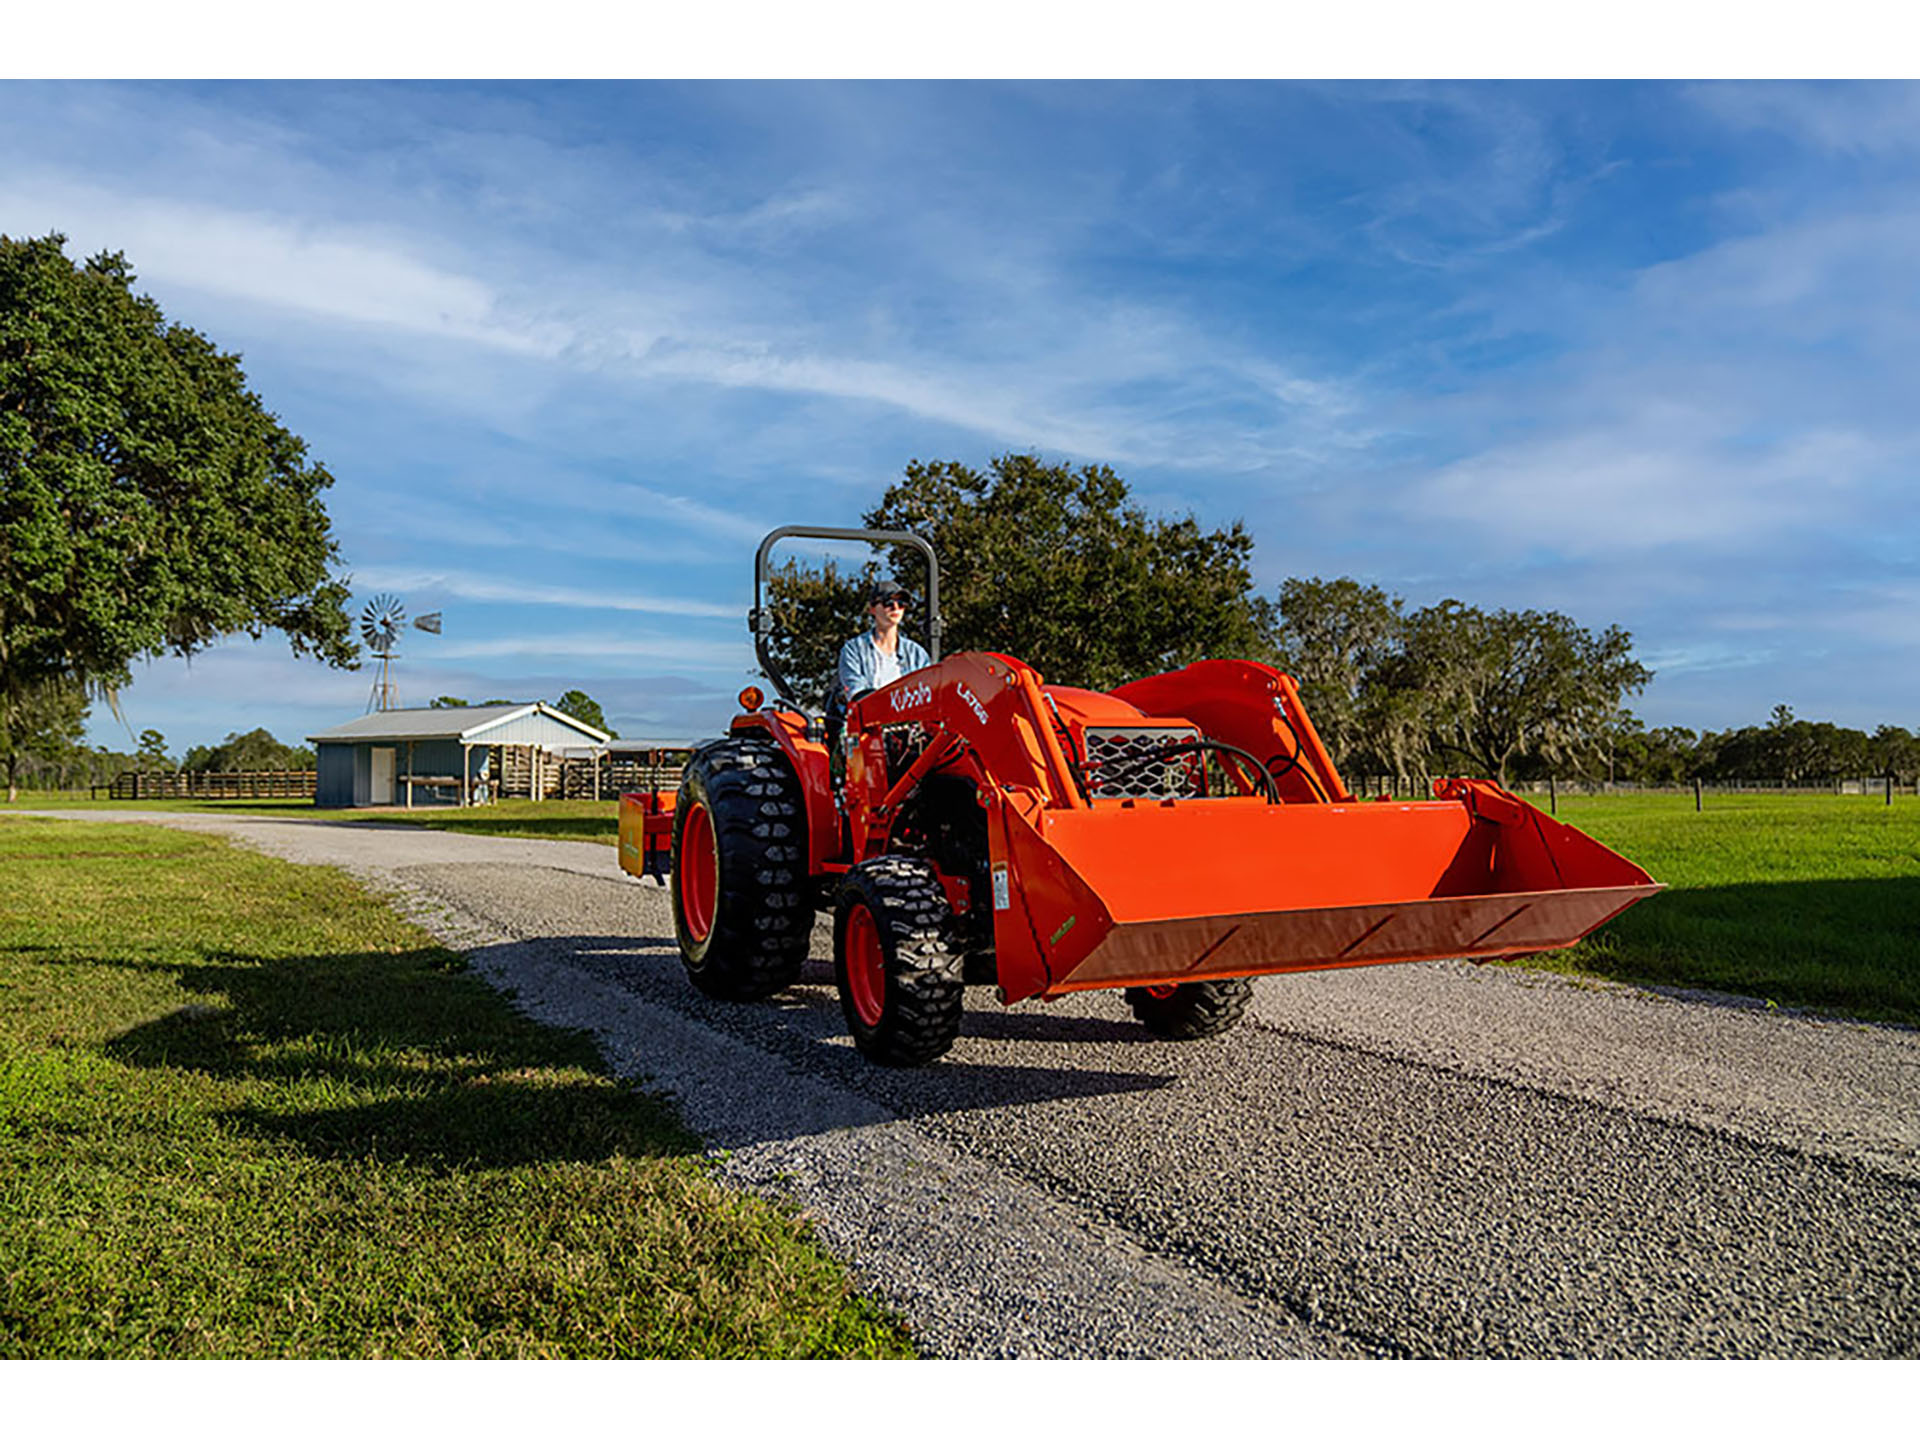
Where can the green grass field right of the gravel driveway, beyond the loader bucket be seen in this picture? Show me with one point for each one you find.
(1798, 900)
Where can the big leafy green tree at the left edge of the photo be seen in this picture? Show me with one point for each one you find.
(149, 500)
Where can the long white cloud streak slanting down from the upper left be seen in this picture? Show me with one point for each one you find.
(738, 299)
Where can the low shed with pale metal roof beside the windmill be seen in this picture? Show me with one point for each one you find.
(441, 757)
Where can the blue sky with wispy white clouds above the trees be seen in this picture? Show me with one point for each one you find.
(1644, 354)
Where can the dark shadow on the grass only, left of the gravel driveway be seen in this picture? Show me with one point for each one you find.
(389, 1057)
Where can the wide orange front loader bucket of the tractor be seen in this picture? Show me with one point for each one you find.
(1172, 892)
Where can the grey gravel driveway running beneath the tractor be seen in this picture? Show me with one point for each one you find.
(1414, 1161)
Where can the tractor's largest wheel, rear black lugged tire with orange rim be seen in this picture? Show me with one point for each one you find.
(742, 909)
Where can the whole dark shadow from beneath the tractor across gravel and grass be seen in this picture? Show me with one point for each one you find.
(389, 1057)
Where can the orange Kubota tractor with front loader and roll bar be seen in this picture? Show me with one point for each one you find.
(1170, 838)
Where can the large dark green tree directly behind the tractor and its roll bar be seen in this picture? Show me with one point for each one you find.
(1049, 564)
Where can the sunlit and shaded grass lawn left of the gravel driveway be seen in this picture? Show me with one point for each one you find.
(247, 1111)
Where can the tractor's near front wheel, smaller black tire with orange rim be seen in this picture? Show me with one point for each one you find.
(901, 997)
